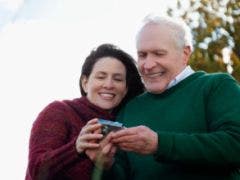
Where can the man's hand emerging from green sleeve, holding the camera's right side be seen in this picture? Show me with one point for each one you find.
(138, 139)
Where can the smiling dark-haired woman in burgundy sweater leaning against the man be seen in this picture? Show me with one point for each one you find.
(65, 137)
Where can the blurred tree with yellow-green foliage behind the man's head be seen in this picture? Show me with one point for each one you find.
(215, 26)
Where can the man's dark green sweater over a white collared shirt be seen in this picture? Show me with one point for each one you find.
(198, 126)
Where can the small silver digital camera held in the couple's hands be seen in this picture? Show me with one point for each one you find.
(108, 126)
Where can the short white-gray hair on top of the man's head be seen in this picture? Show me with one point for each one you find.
(181, 33)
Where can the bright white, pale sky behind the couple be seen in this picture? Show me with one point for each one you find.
(42, 47)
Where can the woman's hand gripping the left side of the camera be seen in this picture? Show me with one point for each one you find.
(89, 136)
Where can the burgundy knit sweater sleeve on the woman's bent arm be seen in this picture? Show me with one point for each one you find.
(51, 151)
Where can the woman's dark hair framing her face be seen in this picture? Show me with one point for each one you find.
(133, 79)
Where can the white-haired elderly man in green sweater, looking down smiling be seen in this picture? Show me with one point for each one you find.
(187, 124)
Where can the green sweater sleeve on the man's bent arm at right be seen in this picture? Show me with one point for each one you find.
(220, 146)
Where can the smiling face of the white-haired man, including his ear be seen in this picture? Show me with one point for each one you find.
(159, 58)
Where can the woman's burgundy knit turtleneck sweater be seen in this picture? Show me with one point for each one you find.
(52, 153)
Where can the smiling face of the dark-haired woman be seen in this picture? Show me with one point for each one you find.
(106, 85)
